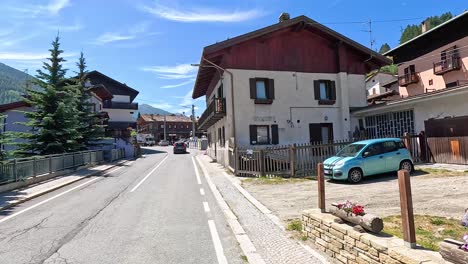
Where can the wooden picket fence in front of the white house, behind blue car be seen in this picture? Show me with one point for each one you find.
(297, 160)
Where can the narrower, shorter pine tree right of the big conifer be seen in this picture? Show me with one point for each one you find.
(90, 128)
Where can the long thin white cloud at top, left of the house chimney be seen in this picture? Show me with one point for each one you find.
(201, 15)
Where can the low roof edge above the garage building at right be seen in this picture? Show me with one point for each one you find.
(410, 101)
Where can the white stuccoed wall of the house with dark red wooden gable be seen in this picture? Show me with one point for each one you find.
(294, 100)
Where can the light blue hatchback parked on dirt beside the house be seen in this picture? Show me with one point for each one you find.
(368, 157)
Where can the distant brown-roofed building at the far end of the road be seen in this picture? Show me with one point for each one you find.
(177, 126)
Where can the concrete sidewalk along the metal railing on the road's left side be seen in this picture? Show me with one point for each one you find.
(18, 196)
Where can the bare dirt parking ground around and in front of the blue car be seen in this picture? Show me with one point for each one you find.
(438, 196)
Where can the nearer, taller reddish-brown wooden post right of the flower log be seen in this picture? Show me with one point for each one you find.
(407, 216)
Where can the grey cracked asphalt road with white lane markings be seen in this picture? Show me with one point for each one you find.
(151, 210)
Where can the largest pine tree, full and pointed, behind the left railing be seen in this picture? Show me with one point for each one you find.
(53, 123)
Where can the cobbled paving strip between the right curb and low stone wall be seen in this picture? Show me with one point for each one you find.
(270, 241)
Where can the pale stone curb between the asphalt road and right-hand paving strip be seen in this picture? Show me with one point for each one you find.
(242, 238)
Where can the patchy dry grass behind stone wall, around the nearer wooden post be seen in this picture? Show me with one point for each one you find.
(430, 230)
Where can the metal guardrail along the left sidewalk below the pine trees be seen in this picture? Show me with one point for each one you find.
(21, 169)
